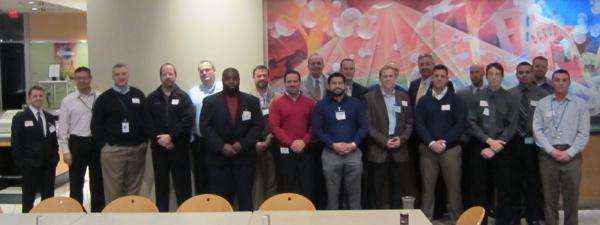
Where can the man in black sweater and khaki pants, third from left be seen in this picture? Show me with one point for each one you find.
(118, 129)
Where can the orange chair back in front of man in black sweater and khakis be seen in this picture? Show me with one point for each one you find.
(130, 204)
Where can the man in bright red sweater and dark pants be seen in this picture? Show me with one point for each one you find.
(289, 121)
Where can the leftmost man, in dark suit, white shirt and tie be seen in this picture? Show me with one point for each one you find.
(35, 148)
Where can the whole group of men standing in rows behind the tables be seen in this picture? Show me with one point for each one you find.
(251, 146)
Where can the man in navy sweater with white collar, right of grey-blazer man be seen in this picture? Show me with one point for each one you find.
(441, 118)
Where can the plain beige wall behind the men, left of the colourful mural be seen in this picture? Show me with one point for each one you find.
(145, 34)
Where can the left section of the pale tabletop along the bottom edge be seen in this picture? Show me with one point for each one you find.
(230, 218)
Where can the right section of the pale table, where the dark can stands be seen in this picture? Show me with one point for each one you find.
(337, 217)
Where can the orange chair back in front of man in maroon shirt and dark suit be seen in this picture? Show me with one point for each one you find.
(205, 203)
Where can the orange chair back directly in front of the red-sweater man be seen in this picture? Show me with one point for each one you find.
(287, 202)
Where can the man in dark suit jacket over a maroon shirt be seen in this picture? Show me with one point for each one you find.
(231, 121)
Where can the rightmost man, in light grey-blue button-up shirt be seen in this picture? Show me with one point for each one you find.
(561, 127)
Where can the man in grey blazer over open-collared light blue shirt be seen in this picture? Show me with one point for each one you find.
(390, 125)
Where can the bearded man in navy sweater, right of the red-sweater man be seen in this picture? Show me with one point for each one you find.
(340, 122)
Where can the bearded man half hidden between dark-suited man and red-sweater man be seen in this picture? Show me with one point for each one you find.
(264, 181)
